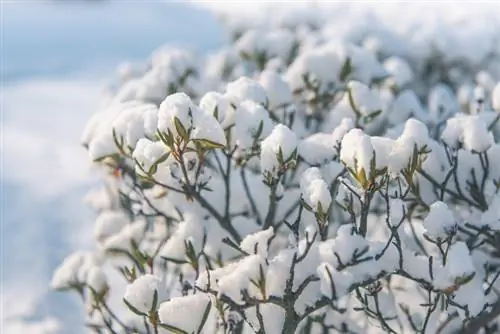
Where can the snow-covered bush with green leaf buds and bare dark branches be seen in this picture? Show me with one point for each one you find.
(297, 181)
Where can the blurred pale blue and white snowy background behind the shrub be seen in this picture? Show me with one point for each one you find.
(56, 57)
